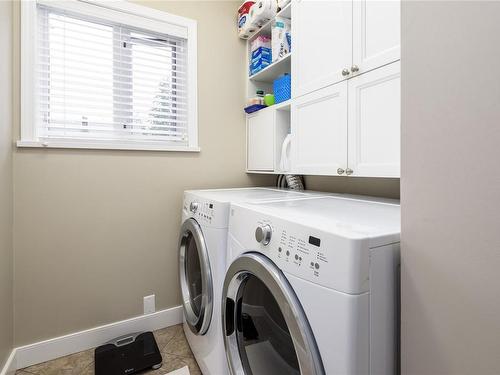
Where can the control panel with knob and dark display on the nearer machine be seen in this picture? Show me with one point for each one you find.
(332, 261)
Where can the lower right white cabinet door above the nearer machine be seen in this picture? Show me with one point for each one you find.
(375, 122)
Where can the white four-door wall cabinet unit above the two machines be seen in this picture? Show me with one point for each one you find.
(345, 106)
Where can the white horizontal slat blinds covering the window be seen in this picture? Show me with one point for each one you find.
(100, 80)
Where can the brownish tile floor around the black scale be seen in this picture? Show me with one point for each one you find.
(171, 341)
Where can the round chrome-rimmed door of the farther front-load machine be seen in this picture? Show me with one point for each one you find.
(195, 277)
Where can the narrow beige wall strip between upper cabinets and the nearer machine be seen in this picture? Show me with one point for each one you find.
(379, 187)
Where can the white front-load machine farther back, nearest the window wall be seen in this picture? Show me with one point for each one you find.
(202, 257)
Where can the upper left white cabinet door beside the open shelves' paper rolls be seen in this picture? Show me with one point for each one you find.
(322, 43)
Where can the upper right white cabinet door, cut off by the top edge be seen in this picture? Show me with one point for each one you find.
(376, 33)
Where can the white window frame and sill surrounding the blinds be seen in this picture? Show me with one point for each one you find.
(128, 14)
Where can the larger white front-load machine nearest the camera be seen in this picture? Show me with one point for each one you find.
(312, 287)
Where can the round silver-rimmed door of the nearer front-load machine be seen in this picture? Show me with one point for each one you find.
(266, 331)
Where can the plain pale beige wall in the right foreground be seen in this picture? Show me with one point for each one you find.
(450, 188)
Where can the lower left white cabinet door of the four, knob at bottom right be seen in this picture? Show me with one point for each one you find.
(319, 130)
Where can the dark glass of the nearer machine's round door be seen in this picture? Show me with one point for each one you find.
(264, 341)
